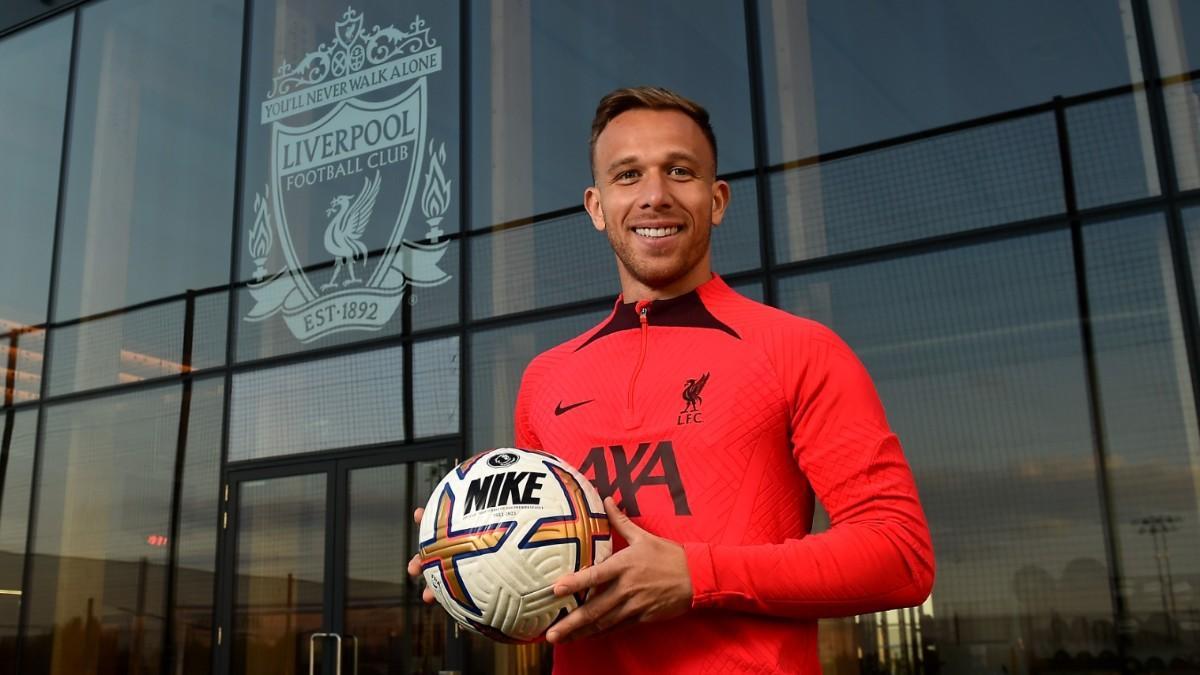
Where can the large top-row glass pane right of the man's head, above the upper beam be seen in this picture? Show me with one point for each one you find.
(837, 76)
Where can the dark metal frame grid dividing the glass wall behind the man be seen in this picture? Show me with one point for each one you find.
(771, 272)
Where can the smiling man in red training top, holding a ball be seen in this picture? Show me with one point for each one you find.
(713, 421)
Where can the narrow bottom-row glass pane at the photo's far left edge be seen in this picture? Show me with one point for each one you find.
(20, 431)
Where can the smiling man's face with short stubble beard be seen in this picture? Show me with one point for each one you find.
(657, 199)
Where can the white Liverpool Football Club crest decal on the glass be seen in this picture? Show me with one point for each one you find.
(351, 169)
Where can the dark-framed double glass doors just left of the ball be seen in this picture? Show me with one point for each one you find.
(315, 575)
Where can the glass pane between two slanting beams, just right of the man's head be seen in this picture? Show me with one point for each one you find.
(986, 176)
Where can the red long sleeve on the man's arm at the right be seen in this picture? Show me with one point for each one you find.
(878, 553)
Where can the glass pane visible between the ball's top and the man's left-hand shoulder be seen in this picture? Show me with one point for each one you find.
(499, 359)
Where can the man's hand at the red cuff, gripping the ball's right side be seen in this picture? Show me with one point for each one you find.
(646, 582)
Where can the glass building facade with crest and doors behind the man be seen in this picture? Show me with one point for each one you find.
(269, 267)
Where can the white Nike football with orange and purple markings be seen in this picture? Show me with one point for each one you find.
(500, 530)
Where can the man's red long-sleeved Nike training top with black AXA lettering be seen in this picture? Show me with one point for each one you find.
(715, 421)
